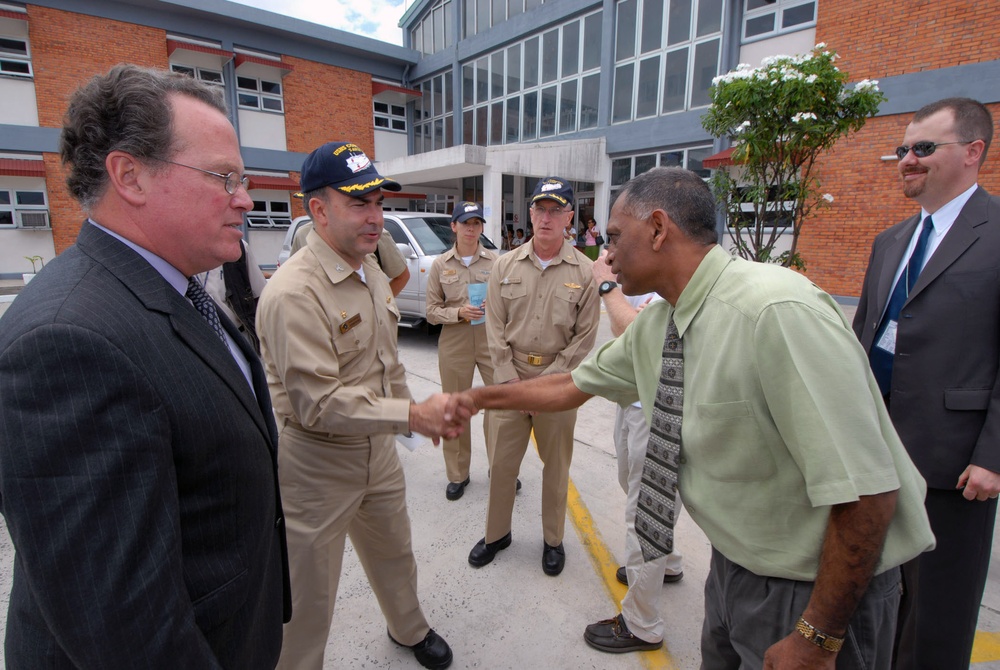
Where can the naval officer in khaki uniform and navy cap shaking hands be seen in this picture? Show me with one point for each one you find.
(327, 324)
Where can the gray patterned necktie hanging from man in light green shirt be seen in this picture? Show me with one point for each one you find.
(654, 518)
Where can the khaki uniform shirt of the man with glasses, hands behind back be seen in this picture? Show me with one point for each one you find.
(552, 312)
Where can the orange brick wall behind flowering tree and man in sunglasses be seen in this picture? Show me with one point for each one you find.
(875, 43)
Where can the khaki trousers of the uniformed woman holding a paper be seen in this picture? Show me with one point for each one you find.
(461, 348)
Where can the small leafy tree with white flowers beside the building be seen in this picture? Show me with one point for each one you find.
(781, 116)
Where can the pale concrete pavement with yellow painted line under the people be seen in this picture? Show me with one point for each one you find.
(509, 614)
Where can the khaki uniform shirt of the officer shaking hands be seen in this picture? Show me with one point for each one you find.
(328, 343)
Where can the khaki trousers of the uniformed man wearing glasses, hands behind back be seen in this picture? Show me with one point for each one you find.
(512, 431)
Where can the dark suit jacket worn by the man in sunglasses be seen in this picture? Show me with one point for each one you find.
(945, 400)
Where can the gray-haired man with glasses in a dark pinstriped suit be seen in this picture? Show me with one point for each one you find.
(137, 446)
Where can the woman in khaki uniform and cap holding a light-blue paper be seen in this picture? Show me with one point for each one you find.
(462, 345)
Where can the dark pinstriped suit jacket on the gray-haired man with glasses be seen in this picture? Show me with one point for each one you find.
(137, 476)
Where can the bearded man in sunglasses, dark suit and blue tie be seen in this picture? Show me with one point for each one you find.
(929, 317)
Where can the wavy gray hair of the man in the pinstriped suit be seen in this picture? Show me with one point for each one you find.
(127, 109)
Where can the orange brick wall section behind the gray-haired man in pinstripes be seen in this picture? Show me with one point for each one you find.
(67, 49)
